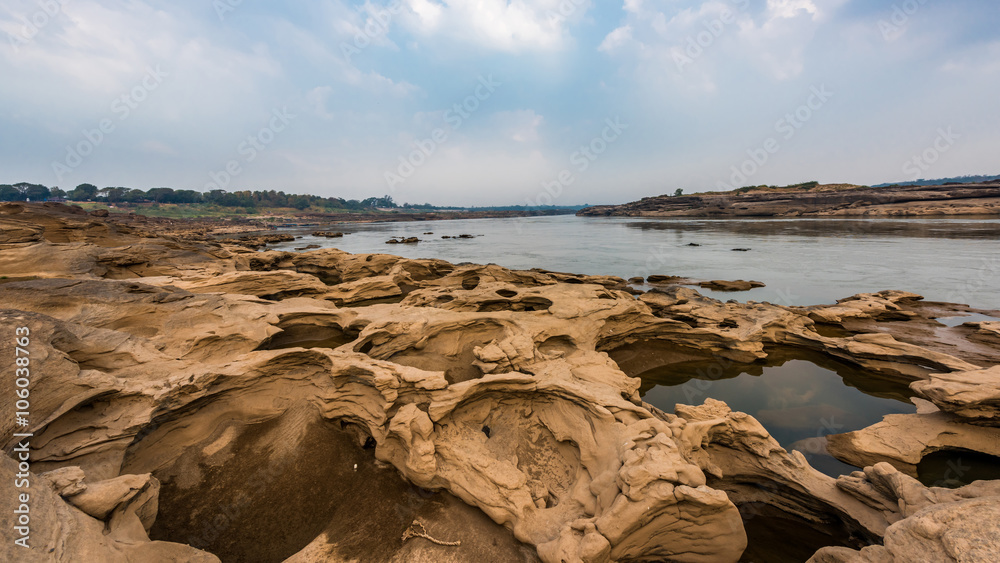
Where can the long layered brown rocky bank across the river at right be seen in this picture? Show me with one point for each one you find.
(818, 201)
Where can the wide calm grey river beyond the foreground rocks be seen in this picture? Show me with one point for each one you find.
(802, 261)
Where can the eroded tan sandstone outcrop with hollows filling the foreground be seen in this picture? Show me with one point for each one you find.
(196, 401)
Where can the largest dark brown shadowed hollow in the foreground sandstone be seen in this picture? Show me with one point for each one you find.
(264, 491)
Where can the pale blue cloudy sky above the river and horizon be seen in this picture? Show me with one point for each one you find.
(496, 102)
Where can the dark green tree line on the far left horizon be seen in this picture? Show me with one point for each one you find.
(250, 199)
